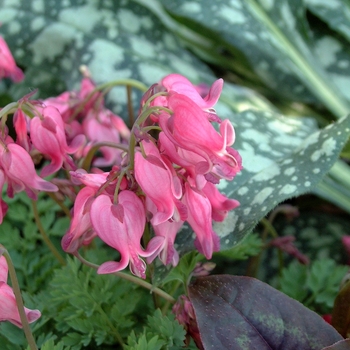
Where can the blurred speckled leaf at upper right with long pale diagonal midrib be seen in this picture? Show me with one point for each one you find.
(275, 39)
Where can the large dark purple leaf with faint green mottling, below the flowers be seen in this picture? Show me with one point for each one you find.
(238, 312)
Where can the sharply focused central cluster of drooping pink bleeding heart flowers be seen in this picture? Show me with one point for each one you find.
(166, 177)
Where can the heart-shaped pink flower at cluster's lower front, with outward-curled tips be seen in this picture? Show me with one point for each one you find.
(121, 226)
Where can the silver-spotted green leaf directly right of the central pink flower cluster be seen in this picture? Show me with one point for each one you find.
(282, 158)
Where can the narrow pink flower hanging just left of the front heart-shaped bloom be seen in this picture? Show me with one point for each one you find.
(80, 231)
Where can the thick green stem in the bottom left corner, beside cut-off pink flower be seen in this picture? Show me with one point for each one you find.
(16, 290)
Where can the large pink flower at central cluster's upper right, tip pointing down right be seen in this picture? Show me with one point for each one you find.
(188, 128)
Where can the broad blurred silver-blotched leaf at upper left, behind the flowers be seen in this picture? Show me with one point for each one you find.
(115, 39)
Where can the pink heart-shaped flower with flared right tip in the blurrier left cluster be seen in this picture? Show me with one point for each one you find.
(48, 137)
